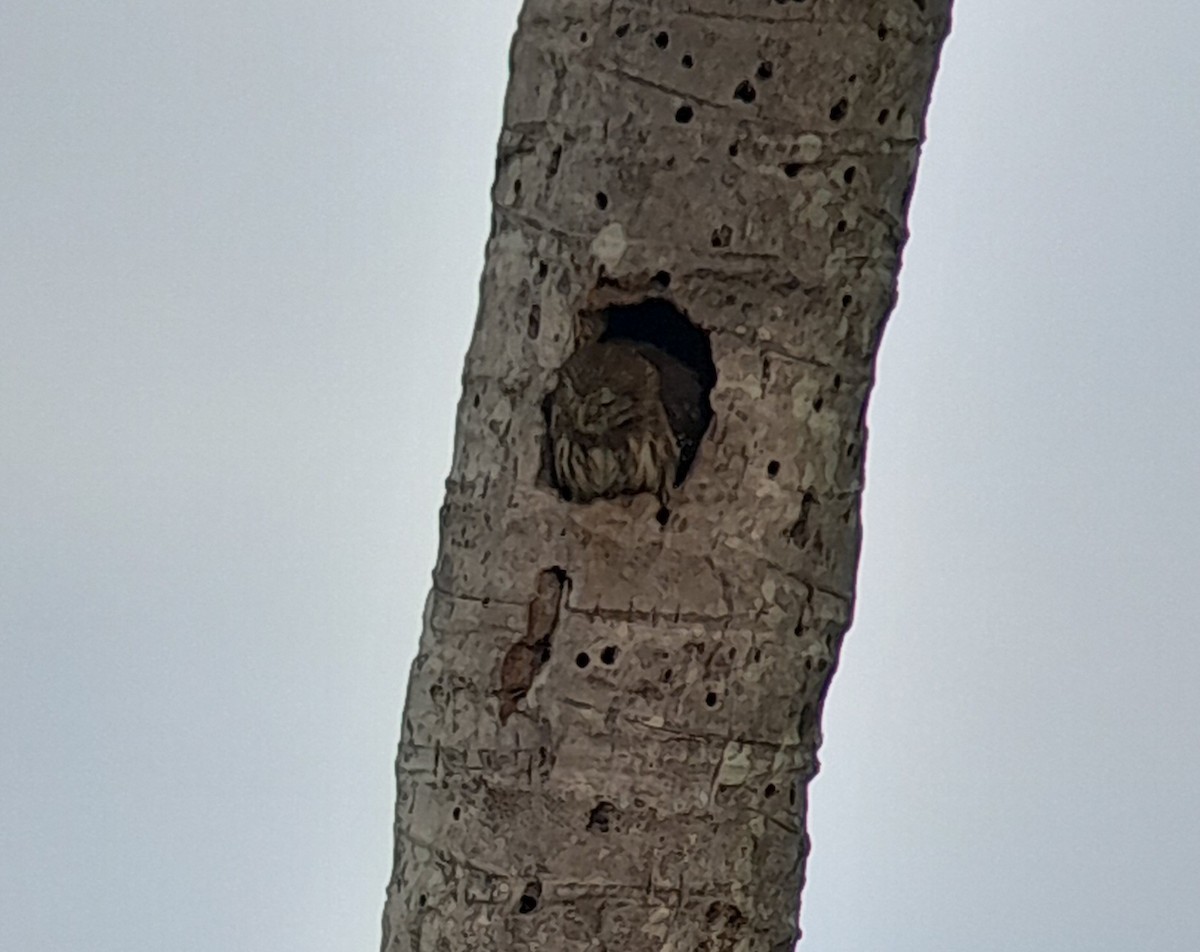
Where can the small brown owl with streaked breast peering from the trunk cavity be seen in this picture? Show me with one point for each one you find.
(625, 418)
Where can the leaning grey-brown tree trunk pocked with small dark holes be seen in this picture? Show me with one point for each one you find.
(614, 755)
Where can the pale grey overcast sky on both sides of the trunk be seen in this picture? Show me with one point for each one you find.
(239, 258)
